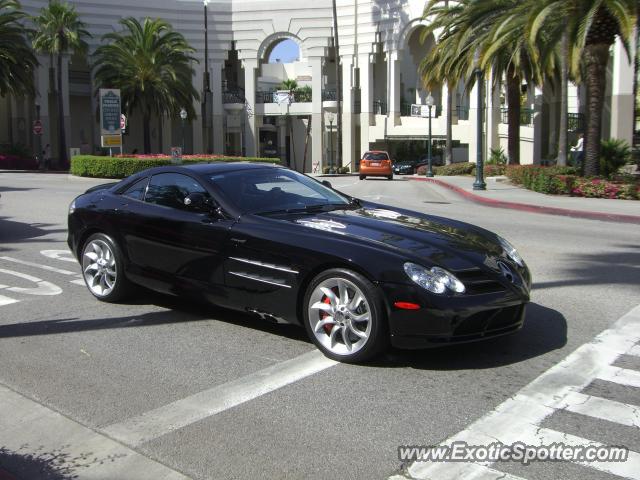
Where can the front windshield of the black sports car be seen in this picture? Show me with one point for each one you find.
(276, 190)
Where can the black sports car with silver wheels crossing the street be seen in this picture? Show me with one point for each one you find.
(268, 240)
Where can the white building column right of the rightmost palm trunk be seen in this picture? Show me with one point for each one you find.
(622, 101)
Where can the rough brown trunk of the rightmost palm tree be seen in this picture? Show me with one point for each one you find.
(595, 58)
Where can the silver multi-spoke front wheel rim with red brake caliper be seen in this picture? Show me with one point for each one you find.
(340, 316)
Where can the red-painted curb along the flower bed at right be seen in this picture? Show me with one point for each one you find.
(565, 212)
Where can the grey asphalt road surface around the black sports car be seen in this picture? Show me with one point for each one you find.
(102, 365)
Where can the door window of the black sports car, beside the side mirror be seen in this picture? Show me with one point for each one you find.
(170, 190)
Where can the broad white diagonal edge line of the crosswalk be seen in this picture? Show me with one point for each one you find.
(518, 419)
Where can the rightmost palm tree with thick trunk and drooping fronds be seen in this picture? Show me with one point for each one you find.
(591, 27)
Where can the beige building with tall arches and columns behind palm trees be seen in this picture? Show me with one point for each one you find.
(380, 50)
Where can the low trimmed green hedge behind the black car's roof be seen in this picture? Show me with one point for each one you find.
(121, 167)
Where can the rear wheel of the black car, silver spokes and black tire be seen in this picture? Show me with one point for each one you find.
(105, 282)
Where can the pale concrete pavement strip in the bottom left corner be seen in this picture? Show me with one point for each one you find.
(30, 428)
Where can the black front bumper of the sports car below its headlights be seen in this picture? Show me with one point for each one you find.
(445, 320)
